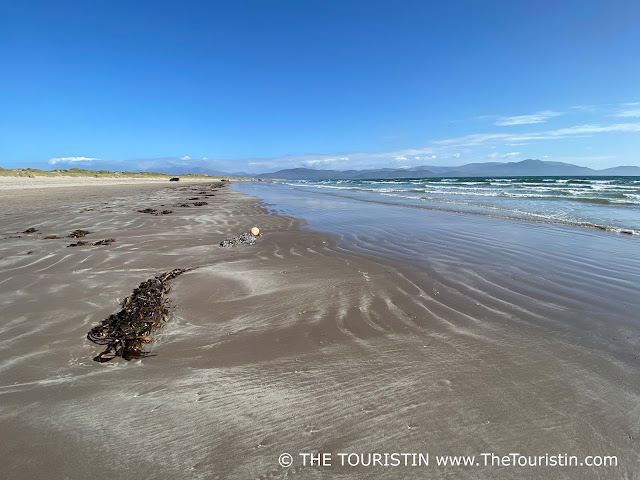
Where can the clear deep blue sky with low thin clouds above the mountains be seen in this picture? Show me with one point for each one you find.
(261, 85)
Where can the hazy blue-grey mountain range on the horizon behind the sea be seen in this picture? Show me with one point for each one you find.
(525, 168)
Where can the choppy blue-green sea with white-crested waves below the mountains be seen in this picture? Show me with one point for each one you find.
(608, 203)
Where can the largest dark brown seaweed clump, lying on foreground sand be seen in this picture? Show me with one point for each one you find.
(144, 311)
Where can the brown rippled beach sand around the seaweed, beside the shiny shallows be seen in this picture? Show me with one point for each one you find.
(293, 345)
